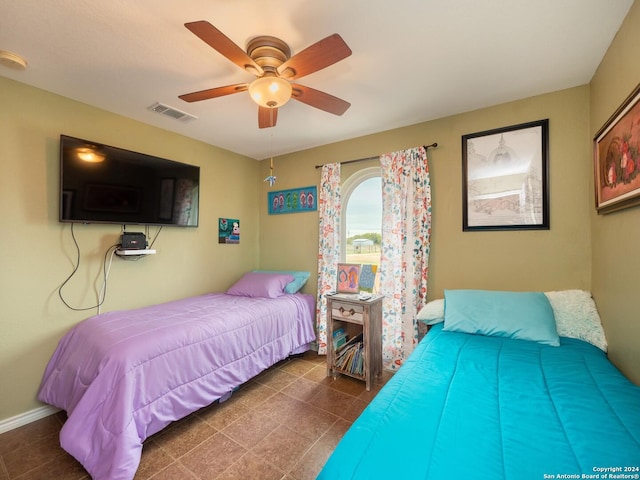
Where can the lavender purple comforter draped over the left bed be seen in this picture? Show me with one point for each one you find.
(123, 376)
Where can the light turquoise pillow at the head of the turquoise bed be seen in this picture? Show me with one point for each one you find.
(521, 315)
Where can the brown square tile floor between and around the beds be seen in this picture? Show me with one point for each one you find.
(282, 425)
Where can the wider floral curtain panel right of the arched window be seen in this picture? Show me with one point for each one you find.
(406, 230)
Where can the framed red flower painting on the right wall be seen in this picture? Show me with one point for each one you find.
(617, 158)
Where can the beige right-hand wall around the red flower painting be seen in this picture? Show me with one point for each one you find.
(615, 236)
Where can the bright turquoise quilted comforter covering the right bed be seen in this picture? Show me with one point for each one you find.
(486, 407)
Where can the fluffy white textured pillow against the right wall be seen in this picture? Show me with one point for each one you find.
(577, 316)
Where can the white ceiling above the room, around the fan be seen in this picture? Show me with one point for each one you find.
(412, 61)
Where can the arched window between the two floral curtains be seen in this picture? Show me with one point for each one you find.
(361, 222)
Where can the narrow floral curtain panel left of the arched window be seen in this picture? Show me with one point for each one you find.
(329, 208)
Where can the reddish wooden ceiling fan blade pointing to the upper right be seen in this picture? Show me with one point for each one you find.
(315, 57)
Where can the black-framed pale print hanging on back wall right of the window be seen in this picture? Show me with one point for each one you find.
(505, 178)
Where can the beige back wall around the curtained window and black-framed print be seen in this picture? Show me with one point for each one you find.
(525, 260)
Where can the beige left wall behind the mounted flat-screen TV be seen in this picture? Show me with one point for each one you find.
(37, 253)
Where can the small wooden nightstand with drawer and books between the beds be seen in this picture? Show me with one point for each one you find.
(354, 337)
